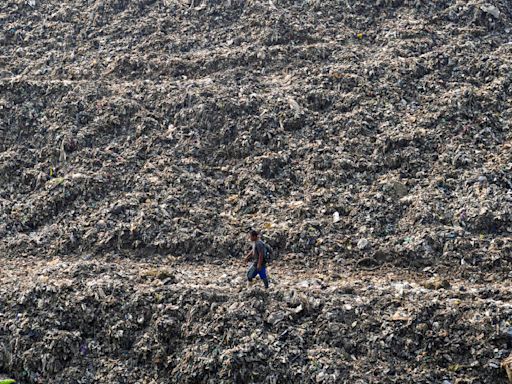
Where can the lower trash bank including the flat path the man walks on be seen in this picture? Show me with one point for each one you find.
(168, 322)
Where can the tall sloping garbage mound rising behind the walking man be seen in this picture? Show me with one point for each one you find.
(342, 129)
